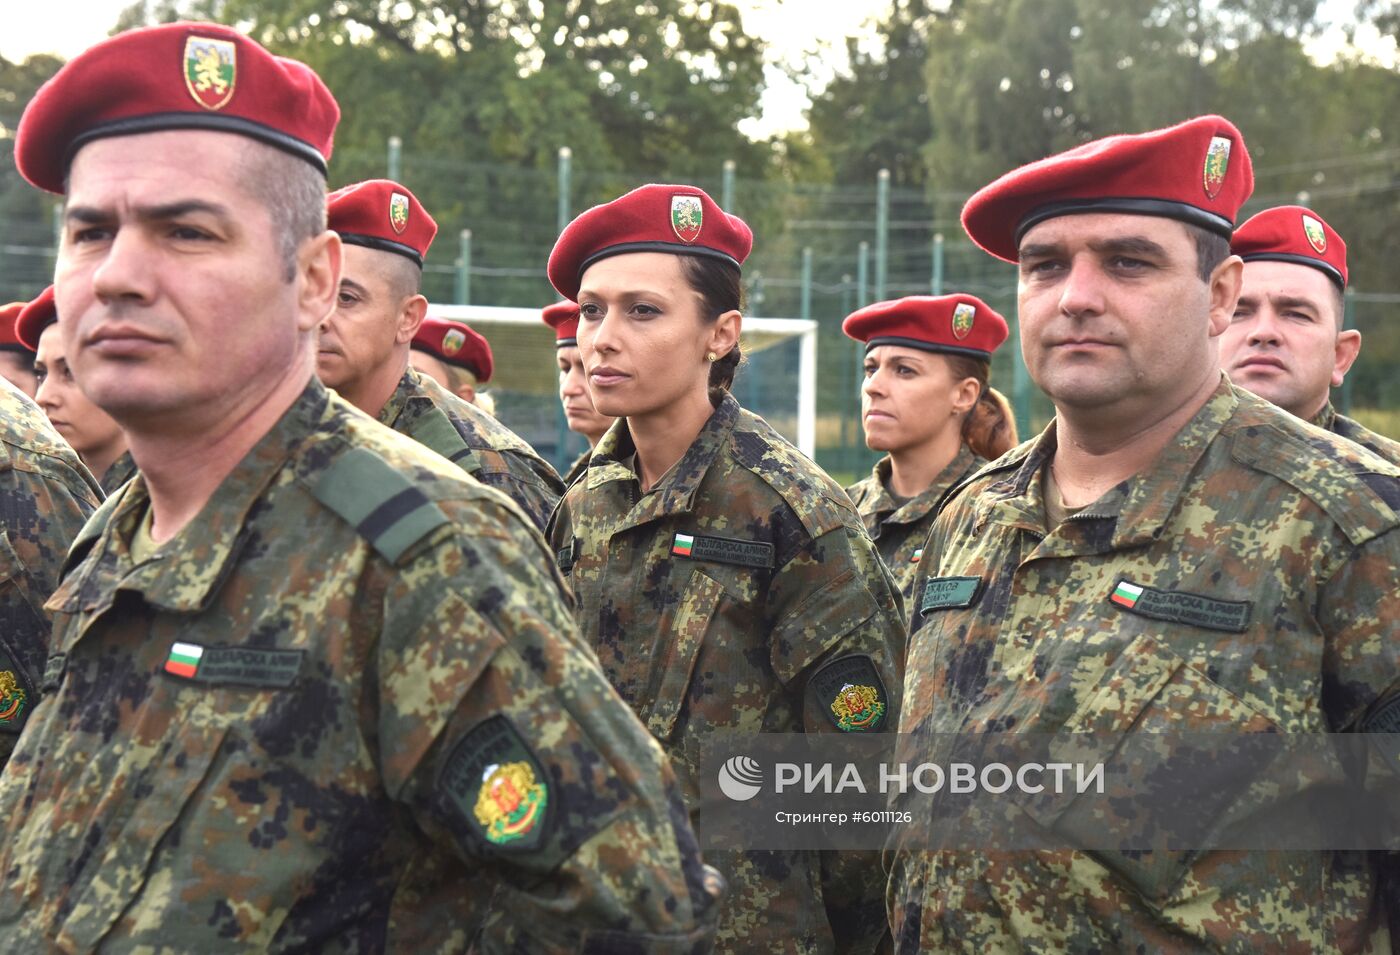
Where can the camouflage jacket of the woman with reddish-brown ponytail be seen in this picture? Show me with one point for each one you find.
(899, 530)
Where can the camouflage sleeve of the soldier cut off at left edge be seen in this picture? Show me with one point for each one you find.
(41, 515)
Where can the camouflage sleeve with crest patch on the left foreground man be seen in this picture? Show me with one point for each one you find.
(505, 740)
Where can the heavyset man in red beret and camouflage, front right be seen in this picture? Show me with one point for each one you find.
(1172, 555)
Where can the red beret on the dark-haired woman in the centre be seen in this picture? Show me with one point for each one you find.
(681, 221)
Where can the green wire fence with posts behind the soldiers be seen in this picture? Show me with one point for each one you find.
(821, 251)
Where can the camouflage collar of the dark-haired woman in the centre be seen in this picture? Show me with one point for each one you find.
(677, 491)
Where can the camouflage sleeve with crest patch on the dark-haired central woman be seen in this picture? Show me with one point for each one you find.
(841, 636)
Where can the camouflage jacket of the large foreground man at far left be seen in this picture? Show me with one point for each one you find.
(300, 725)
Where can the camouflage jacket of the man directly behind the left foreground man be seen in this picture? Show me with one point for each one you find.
(475, 442)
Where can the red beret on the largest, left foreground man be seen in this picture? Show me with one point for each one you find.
(177, 76)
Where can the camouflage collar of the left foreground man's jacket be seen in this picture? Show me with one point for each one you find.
(208, 544)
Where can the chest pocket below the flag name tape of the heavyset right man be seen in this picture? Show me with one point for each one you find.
(1179, 743)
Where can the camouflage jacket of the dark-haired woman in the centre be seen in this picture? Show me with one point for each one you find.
(741, 594)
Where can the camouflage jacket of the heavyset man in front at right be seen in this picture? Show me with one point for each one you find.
(1291, 536)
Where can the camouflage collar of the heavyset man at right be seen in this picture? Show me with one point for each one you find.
(1140, 506)
